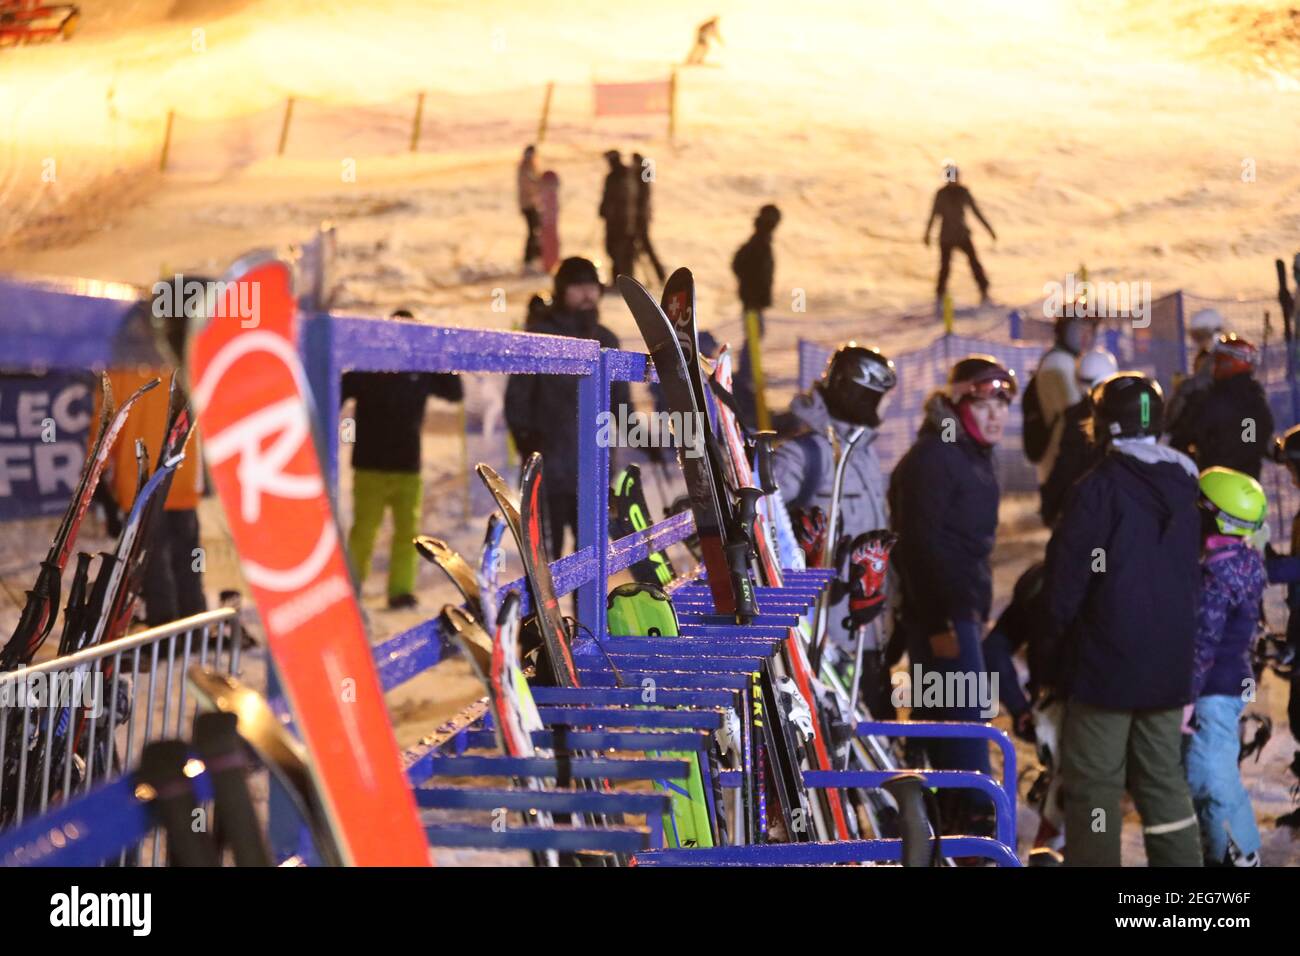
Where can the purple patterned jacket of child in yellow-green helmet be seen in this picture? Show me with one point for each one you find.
(1232, 586)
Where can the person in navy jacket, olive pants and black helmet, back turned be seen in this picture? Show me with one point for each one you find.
(1123, 579)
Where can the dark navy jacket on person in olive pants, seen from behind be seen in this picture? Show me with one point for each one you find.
(1124, 566)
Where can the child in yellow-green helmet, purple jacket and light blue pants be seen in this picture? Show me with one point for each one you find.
(1233, 509)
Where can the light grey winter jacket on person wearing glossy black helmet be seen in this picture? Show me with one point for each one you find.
(804, 469)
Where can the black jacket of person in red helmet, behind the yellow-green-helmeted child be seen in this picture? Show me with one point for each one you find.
(1214, 423)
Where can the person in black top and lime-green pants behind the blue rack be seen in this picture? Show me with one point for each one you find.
(387, 466)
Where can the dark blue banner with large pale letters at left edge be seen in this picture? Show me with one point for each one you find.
(45, 425)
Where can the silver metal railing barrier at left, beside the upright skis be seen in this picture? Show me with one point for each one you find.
(96, 700)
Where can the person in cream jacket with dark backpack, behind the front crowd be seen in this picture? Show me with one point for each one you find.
(1055, 388)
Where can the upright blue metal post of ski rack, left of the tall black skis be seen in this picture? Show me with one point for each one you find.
(593, 492)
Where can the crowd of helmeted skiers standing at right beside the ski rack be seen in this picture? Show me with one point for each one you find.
(1138, 626)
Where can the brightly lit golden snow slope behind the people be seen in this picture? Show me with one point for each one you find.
(1110, 133)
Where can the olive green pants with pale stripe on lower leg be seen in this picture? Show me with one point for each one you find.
(1107, 752)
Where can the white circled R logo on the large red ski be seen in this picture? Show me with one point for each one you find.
(266, 444)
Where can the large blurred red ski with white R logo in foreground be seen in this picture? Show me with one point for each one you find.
(253, 397)
